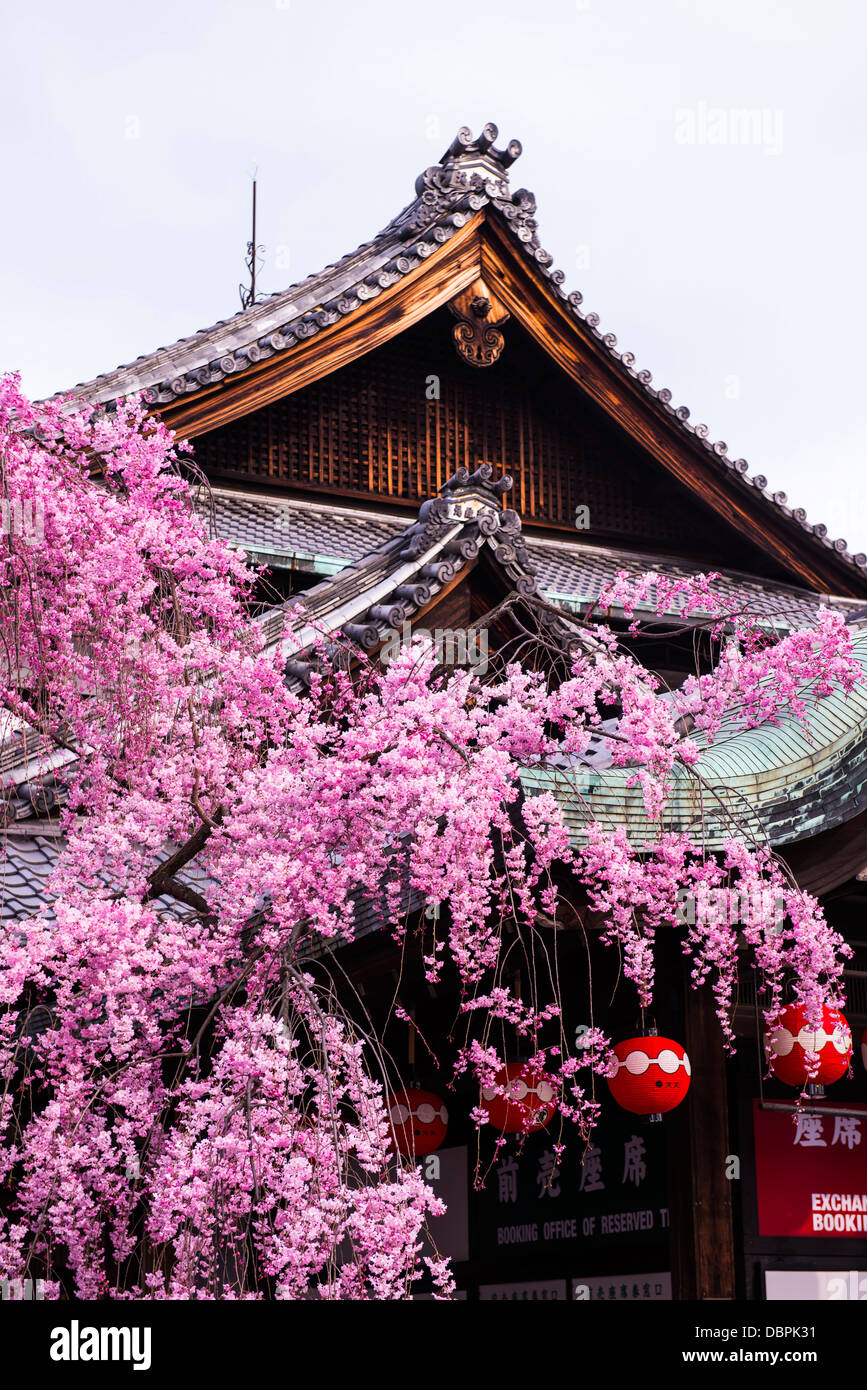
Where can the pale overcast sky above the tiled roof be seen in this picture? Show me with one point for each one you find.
(725, 251)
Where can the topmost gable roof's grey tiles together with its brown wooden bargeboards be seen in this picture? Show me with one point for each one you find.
(433, 248)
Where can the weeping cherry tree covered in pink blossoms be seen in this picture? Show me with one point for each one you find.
(188, 1111)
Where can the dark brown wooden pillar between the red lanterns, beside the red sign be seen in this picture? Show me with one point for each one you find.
(698, 1143)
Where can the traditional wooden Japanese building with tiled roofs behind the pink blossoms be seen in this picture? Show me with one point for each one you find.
(433, 425)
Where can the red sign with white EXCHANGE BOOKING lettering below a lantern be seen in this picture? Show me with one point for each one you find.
(811, 1174)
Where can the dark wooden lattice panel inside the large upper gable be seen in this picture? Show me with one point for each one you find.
(370, 432)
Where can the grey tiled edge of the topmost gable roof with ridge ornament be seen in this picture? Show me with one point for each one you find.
(470, 181)
